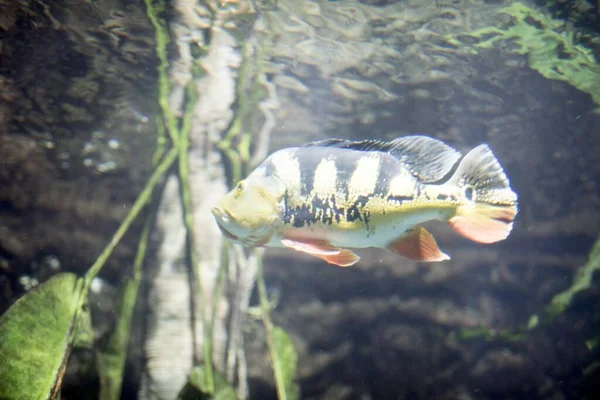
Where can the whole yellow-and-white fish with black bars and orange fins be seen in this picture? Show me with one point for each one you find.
(327, 197)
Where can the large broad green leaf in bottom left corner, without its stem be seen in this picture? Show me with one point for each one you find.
(36, 337)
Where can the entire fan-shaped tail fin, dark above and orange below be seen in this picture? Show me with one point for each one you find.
(489, 205)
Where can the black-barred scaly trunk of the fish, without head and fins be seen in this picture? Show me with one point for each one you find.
(351, 198)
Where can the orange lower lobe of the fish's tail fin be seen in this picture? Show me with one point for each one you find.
(484, 223)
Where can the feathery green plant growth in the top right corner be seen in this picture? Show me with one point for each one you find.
(549, 45)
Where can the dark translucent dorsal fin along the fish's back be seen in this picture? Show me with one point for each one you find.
(428, 159)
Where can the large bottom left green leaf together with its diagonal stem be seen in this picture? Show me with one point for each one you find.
(38, 332)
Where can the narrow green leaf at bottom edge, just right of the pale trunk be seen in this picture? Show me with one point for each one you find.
(285, 361)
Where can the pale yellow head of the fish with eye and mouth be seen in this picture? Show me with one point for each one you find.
(250, 212)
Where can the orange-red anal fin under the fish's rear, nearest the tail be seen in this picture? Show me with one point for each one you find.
(418, 245)
